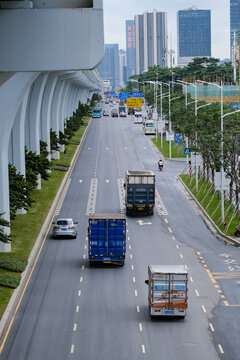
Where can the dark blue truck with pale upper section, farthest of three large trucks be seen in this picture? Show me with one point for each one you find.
(140, 192)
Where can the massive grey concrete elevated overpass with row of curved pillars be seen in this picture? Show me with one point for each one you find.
(49, 51)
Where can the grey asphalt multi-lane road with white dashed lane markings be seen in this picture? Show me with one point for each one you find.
(72, 311)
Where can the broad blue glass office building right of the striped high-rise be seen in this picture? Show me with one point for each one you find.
(194, 34)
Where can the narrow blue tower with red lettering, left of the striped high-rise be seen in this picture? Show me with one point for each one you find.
(130, 48)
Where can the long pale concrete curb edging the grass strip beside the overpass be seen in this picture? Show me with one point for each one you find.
(13, 304)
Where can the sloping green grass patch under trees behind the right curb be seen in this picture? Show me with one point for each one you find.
(211, 203)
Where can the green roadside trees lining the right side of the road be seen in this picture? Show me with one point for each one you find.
(204, 130)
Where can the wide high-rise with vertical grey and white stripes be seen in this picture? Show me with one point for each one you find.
(151, 40)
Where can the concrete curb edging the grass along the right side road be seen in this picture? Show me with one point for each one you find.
(209, 222)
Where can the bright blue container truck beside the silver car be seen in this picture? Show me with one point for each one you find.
(107, 238)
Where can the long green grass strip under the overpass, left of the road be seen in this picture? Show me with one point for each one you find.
(25, 228)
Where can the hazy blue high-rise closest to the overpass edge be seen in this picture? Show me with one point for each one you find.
(109, 68)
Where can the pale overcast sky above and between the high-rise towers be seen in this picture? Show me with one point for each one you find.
(116, 12)
